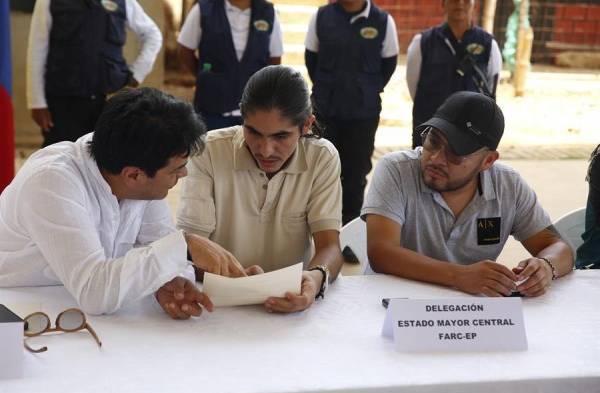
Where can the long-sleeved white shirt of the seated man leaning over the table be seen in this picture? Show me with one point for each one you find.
(61, 224)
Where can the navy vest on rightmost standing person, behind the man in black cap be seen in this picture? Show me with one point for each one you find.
(439, 77)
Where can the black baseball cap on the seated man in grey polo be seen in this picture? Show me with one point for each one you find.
(469, 121)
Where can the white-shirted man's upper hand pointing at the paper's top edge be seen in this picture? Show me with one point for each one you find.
(212, 258)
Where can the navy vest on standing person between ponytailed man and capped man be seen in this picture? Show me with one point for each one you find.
(348, 77)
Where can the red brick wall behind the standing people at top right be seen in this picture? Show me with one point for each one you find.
(557, 22)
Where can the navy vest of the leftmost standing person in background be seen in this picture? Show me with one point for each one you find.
(85, 55)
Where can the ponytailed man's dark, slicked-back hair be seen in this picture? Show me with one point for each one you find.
(282, 88)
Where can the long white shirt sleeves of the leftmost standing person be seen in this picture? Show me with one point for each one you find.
(39, 34)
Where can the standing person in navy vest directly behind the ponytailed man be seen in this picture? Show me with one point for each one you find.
(234, 39)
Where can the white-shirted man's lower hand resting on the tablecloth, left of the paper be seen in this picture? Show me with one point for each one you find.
(181, 299)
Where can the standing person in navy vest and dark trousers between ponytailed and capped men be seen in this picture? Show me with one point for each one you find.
(351, 54)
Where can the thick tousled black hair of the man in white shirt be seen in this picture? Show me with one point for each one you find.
(144, 128)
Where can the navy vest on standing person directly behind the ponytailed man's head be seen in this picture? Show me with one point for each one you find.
(221, 77)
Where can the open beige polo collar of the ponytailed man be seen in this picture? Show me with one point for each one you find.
(243, 160)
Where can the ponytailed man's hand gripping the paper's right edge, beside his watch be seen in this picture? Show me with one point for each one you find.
(311, 283)
